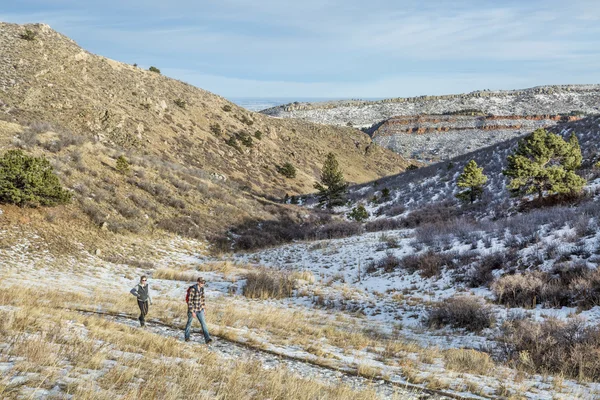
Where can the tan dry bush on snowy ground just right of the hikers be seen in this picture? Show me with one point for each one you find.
(267, 284)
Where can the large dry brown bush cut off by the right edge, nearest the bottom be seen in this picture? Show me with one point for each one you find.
(553, 346)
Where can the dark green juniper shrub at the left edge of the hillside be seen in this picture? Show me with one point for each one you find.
(29, 181)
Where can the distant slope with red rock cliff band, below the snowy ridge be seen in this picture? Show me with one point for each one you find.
(439, 137)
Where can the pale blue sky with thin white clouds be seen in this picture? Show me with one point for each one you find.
(336, 48)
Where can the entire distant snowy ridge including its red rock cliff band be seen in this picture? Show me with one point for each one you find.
(448, 125)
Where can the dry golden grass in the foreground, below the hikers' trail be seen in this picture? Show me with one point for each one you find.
(146, 365)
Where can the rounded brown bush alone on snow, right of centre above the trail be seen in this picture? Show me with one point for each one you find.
(461, 312)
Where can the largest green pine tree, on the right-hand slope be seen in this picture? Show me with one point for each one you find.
(545, 162)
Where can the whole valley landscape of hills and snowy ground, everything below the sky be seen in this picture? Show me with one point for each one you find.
(399, 290)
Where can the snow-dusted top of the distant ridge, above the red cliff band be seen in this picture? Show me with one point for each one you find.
(534, 101)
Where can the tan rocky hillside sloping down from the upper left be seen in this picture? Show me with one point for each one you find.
(199, 162)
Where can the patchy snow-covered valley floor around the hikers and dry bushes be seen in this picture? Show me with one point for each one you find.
(389, 304)
